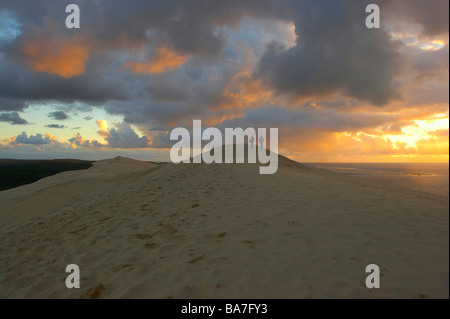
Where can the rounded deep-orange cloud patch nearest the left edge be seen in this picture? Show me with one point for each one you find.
(62, 56)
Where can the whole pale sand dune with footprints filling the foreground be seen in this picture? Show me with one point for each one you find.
(139, 230)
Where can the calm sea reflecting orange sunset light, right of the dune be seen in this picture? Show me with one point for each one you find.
(430, 178)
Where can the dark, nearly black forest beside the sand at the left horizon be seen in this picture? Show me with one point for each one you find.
(14, 173)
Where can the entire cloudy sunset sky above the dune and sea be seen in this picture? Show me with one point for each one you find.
(134, 70)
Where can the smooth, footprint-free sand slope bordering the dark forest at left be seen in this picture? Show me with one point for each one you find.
(55, 192)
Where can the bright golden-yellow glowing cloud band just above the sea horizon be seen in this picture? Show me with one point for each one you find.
(426, 141)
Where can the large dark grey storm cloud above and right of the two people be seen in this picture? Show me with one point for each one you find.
(334, 52)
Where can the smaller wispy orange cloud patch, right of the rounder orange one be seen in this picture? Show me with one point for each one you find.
(162, 60)
